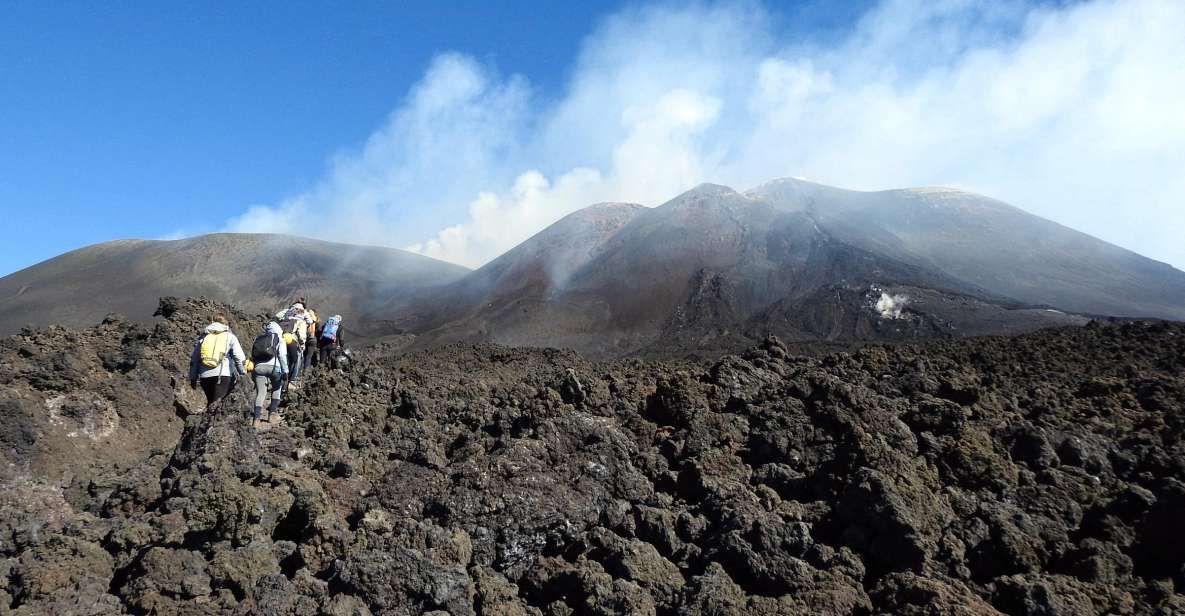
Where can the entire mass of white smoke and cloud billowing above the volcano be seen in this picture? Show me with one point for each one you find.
(1072, 113)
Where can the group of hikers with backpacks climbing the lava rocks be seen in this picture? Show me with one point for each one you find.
(291, 344)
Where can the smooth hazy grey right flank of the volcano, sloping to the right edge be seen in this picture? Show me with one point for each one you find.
(990, 245)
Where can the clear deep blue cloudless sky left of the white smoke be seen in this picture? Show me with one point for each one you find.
(140, 119)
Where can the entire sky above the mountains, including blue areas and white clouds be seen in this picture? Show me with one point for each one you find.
(457, 130)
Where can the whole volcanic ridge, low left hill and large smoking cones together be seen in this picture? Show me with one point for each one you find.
(710, 271)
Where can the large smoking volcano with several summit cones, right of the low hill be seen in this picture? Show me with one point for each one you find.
(716, 269)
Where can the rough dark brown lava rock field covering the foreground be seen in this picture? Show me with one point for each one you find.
(1035, 476)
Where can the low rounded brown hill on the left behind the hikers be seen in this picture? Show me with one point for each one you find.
(254, 272)
